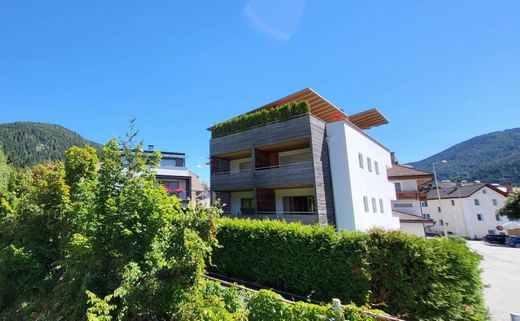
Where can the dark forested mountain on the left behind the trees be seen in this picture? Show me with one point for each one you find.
(27, 143)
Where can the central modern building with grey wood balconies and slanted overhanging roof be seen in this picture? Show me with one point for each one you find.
(318, 167)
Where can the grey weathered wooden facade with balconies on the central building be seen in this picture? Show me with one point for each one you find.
(266, 175)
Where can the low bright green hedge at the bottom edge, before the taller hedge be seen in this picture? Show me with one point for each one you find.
(264, 305)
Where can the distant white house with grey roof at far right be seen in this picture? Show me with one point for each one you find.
(469, 208)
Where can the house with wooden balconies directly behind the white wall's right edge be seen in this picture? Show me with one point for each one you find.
(407, 206)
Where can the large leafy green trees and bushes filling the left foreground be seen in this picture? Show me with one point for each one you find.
(77, 244)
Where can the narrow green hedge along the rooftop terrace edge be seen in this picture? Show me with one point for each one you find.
(261, 117)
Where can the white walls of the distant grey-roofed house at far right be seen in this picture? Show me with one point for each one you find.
(461, 215)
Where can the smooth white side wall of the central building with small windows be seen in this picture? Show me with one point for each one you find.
(351, 183)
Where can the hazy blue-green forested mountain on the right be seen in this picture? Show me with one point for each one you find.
(489, 158)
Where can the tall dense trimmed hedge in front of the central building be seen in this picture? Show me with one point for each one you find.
(412, 277)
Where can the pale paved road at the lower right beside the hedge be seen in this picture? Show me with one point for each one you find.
(501, 272)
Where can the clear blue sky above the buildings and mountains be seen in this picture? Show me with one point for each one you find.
(441, 71)
